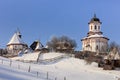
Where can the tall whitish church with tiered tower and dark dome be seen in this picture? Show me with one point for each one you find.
(95, 41)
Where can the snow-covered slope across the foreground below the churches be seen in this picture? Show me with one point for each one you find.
(67, 67)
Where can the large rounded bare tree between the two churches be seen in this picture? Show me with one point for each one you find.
(62, 42)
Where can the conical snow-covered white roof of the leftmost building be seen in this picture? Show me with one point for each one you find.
(15, 39)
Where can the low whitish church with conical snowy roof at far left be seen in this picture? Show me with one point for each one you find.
(16, 44)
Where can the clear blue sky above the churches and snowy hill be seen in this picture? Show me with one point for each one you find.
(41, 19)
